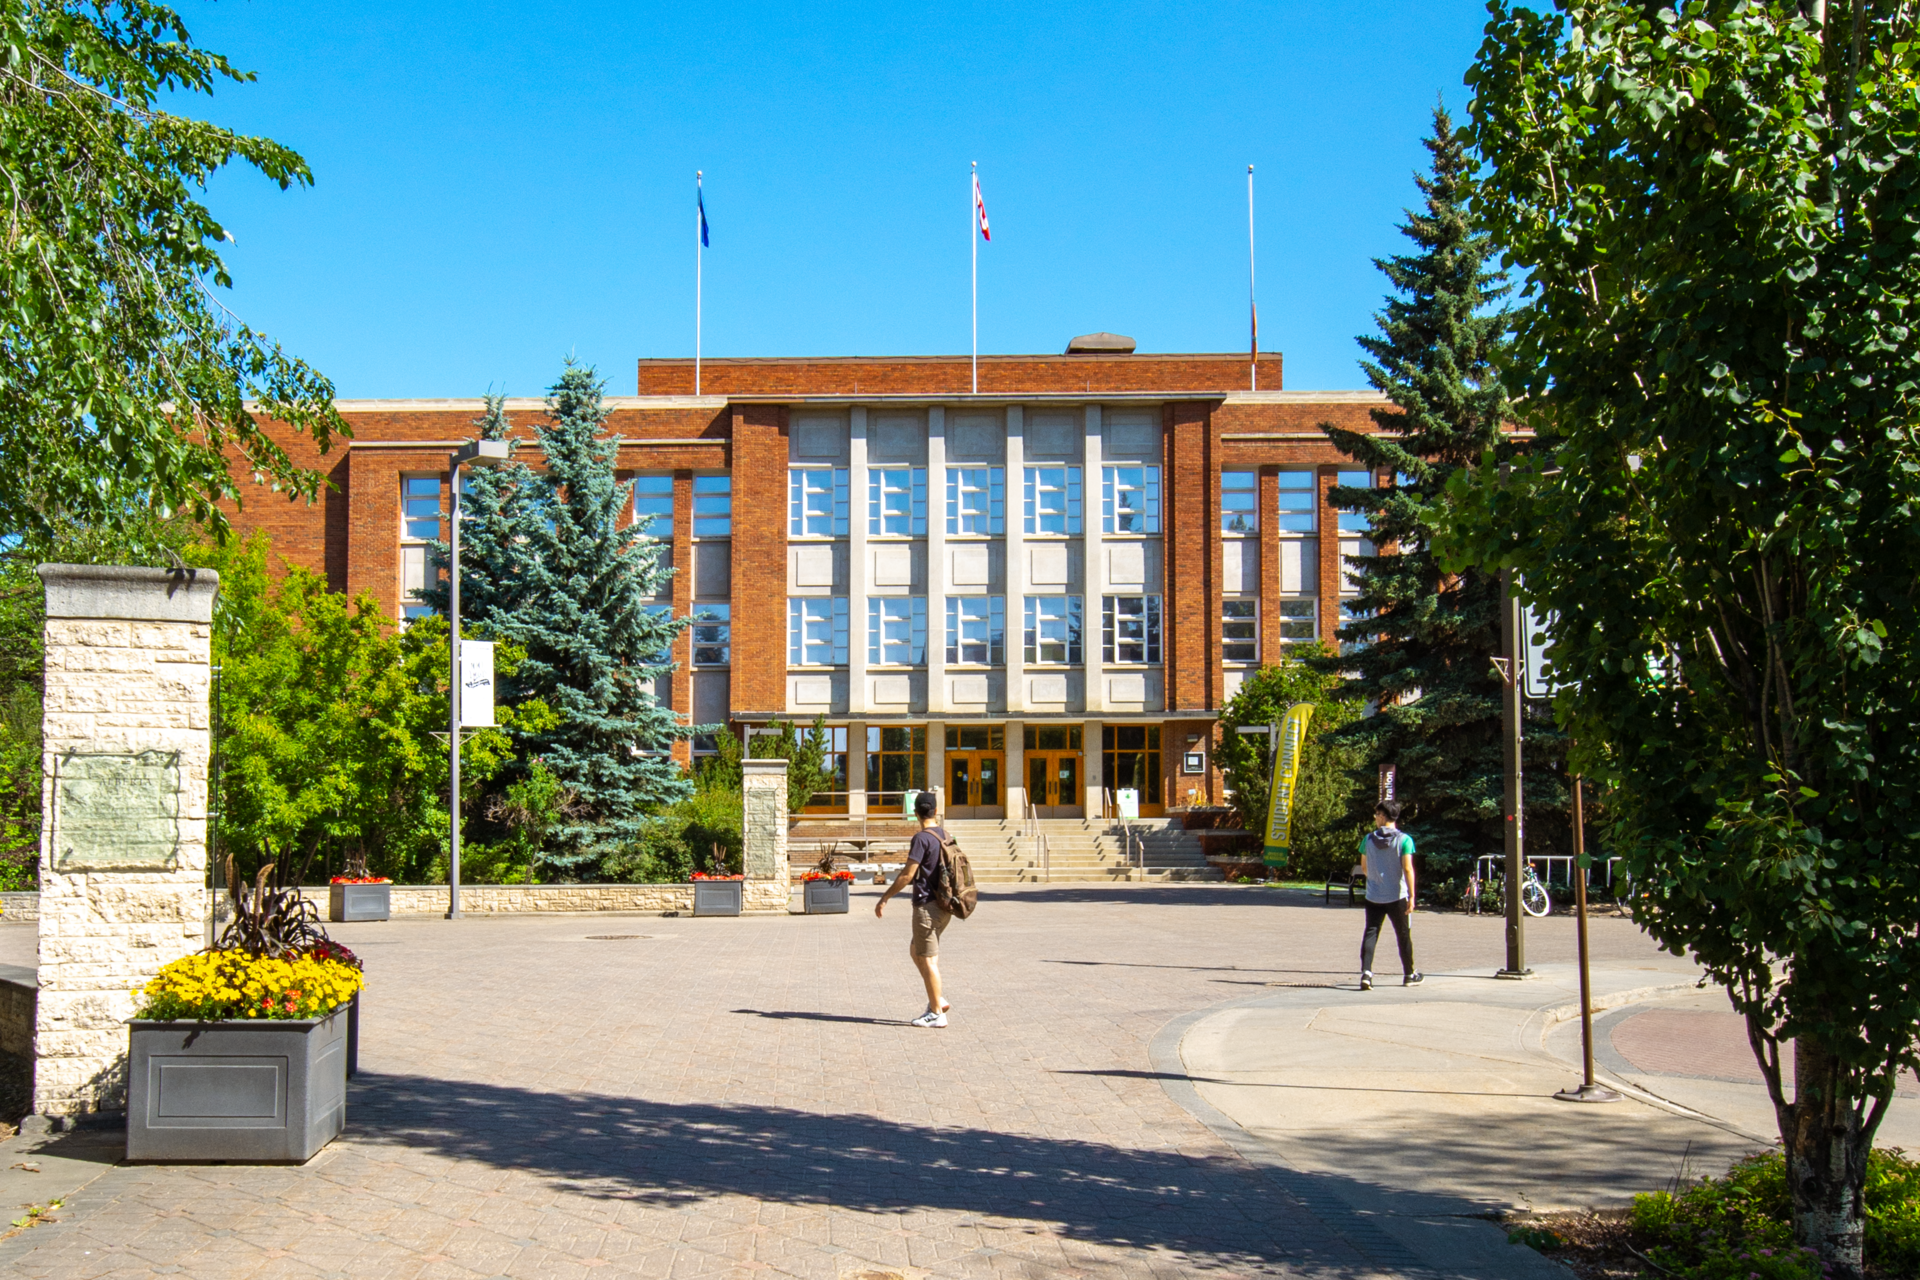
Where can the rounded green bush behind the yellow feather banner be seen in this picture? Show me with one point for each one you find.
(1328, 794)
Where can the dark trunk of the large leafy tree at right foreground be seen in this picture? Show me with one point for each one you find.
(1827, 1147)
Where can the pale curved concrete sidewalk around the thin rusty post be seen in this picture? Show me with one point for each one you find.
(1431, 1110)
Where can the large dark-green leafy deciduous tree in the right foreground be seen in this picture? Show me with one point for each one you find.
(1717, 208)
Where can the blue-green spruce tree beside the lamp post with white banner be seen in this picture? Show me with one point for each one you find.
(548, 565)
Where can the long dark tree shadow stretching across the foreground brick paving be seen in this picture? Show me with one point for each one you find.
(669, 1154)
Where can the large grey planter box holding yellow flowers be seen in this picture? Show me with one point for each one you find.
(245, 1091)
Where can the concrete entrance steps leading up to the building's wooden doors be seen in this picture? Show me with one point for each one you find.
(1080, 851)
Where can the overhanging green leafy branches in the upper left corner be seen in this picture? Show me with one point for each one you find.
(126, 385)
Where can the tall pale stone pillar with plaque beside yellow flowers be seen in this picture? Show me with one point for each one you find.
(124, 841)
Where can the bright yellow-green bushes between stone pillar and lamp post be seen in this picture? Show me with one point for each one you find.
(327, 724)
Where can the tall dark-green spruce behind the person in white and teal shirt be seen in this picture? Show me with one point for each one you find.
(1420, 644)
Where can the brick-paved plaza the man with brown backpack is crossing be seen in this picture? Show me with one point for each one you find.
(742, 1097)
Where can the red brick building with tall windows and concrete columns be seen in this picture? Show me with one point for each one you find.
(1038, 594)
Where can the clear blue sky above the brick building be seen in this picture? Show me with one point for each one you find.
(500, 185)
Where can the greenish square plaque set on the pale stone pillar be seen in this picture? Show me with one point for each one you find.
(116, 811)
